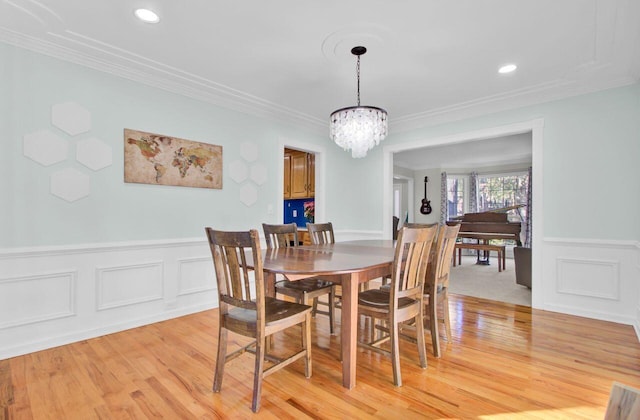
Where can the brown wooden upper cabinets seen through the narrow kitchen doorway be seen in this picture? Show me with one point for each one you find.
(299, 174)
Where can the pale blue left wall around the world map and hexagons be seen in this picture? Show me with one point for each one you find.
(30, 215)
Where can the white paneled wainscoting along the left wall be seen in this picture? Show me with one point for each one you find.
(57, 295)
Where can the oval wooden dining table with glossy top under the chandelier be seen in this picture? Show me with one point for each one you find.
(346, 263)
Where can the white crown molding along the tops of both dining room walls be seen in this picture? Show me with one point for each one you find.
(124, 64)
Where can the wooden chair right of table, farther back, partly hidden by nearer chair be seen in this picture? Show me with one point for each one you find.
(436, 290)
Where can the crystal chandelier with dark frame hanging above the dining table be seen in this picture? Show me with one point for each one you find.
(358, 128)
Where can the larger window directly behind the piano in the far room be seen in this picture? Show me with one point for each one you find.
(499, 191)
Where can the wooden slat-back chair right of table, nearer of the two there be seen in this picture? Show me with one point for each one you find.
(404, 299)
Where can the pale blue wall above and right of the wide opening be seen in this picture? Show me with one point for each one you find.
(591, 155)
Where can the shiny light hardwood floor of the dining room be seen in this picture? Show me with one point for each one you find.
(505, 361)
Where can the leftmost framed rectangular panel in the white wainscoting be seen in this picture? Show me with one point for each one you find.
(36, 298)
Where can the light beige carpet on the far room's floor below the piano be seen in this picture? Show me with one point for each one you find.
(484, 281)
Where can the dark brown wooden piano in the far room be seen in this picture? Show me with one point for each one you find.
(493, 224)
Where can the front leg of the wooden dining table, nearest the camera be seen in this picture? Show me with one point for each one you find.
(349, 339)
